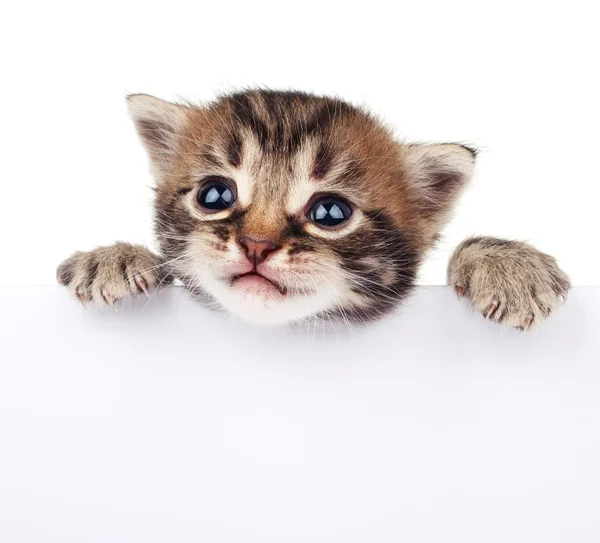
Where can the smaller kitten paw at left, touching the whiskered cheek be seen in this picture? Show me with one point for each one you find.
(109, 274)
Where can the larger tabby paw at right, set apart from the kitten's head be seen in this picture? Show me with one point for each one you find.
(509, 282)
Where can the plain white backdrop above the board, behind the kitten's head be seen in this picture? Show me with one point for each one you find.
(519, 80)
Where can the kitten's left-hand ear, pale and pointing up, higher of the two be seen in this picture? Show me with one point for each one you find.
(160, 124)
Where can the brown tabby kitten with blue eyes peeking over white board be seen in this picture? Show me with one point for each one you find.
(278, 206)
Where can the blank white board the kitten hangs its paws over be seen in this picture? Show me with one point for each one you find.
(166, 422)
